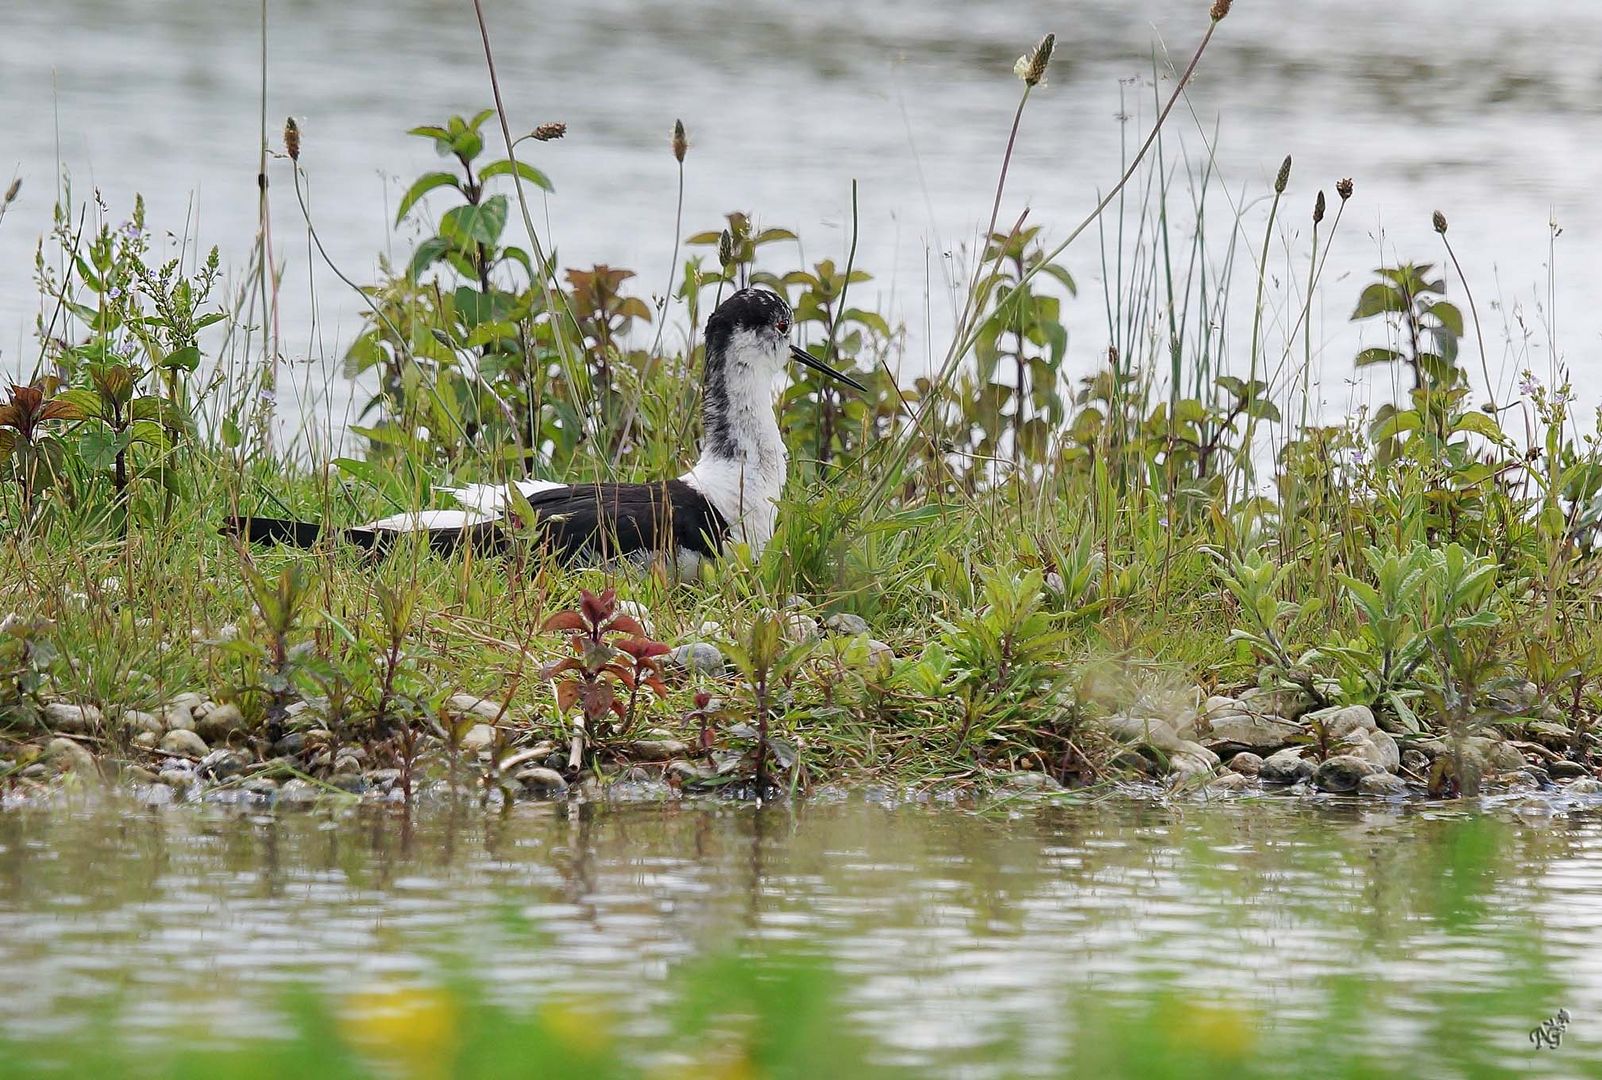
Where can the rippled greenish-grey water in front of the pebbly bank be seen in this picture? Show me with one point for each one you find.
(965, 940)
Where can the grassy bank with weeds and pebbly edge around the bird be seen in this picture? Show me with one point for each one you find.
(991, 570)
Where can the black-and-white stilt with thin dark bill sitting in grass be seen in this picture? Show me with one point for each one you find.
(730, 496)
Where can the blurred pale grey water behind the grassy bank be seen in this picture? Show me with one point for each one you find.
(1487, 111)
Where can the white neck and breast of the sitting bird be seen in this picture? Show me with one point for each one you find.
(743, 464)
